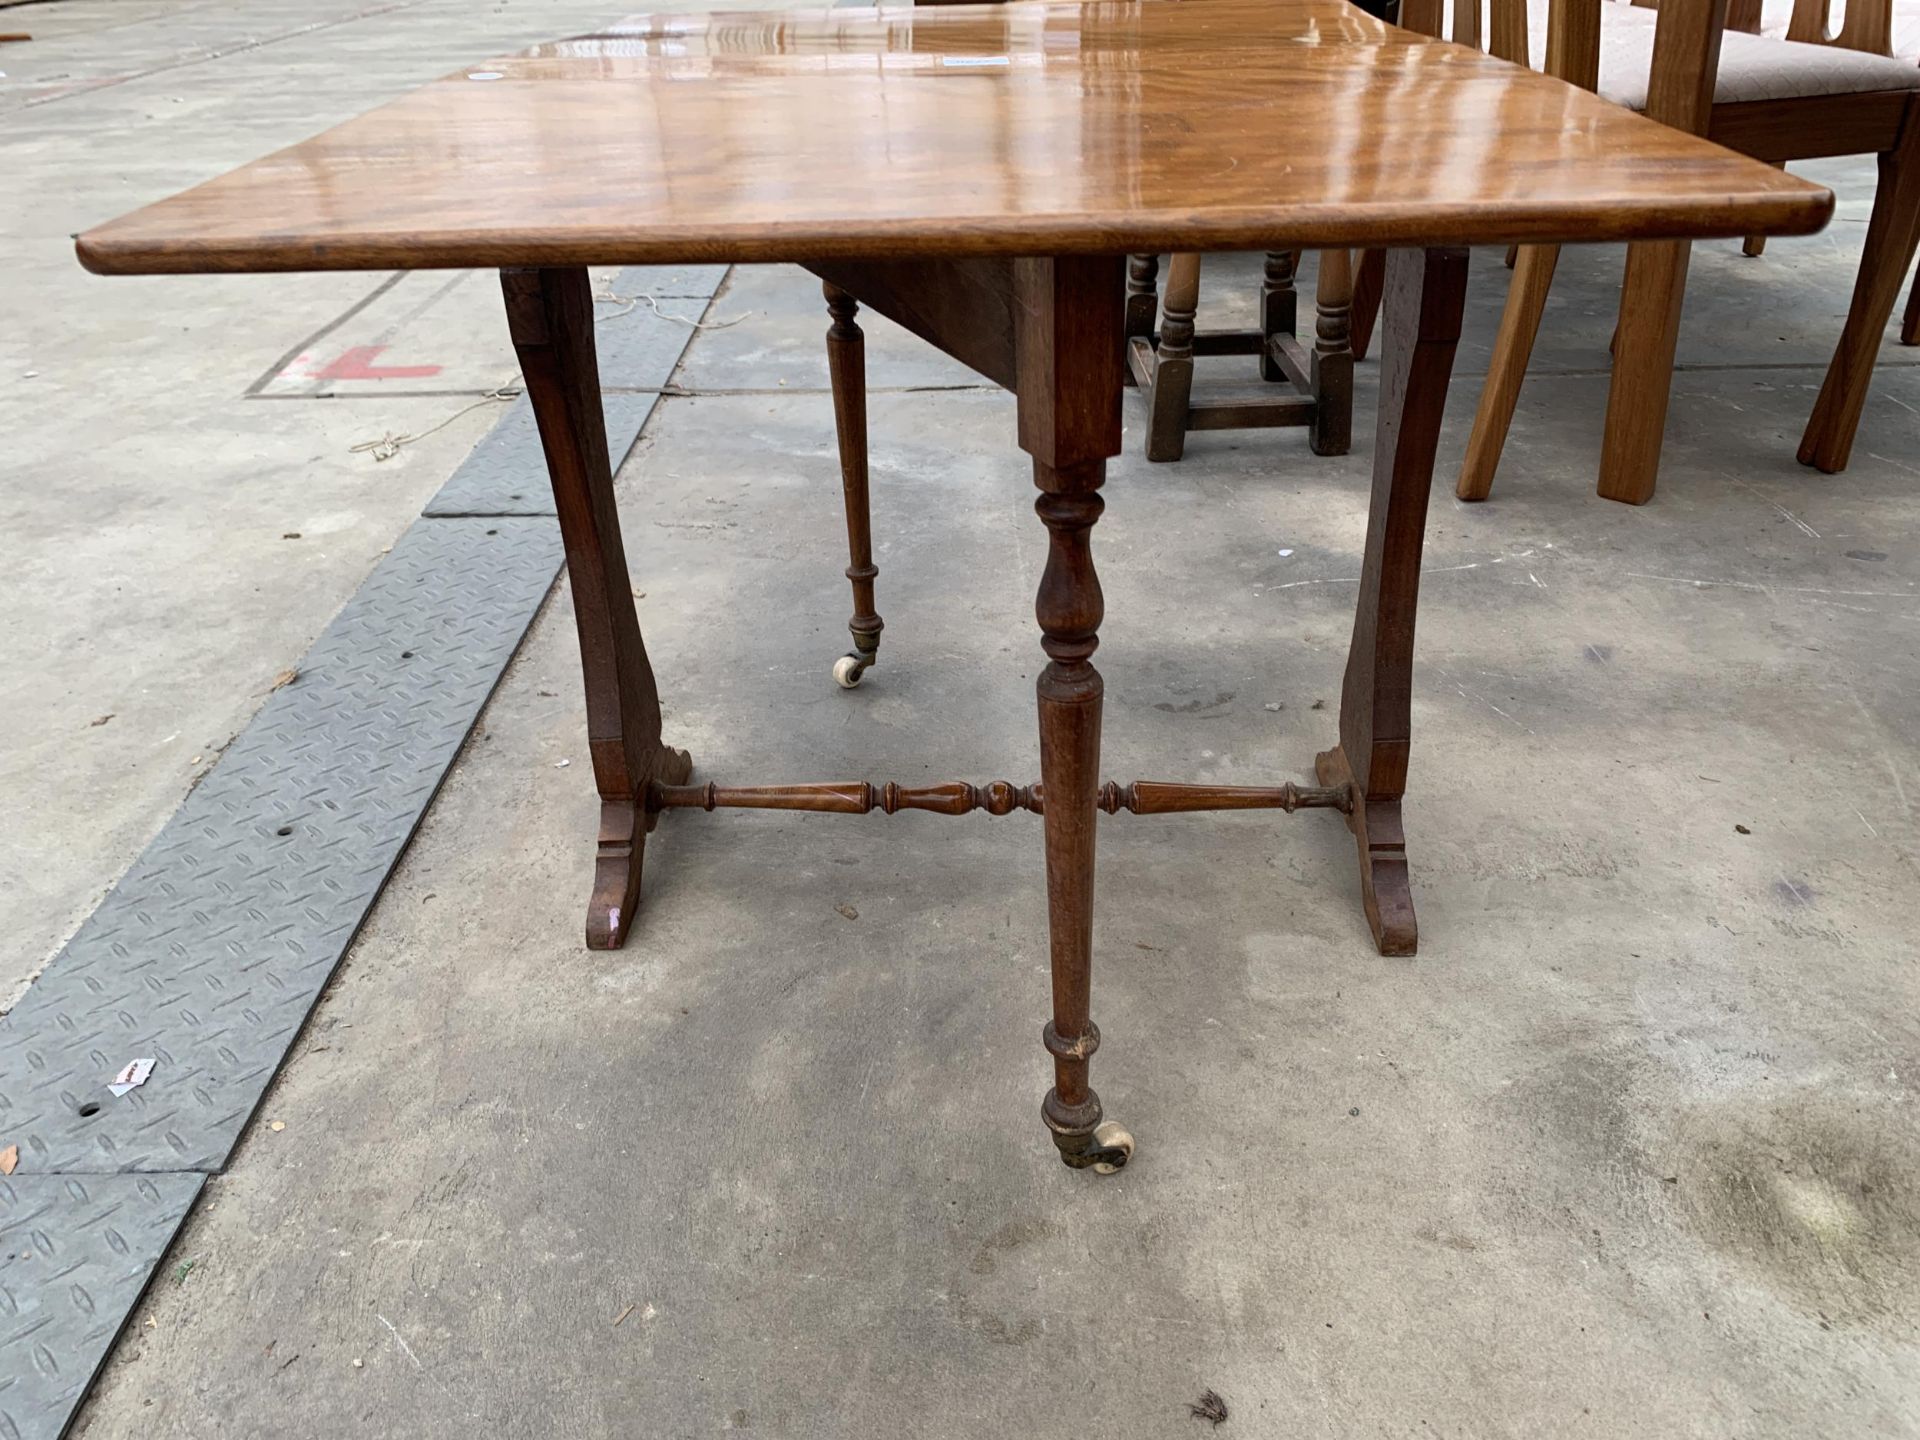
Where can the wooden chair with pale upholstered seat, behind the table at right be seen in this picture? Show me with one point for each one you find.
(1771, 99)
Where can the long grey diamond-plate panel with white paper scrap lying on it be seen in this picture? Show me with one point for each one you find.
(216, 944)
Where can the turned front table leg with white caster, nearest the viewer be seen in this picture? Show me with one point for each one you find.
(1068, 347)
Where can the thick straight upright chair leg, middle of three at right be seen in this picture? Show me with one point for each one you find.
(1643, 370)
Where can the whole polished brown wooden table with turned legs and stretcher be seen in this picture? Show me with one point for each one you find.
(980, 176)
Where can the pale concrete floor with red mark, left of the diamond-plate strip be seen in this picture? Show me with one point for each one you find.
(180, 525)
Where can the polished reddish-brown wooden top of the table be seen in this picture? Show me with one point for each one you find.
(1022, 130)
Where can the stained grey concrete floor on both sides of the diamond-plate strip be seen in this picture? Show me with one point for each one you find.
(1629, 1149)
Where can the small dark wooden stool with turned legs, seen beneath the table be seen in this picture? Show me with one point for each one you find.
(1163, 366)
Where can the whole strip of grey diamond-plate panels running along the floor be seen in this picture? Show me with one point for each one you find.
(220, 940)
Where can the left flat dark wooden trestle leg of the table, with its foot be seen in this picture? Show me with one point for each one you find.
(552, 322)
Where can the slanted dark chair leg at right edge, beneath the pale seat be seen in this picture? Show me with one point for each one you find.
(1892, 235)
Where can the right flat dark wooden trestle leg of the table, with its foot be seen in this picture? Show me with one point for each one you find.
(1424, 300)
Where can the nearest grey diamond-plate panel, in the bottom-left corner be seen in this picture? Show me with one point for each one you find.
(76, 1255)
